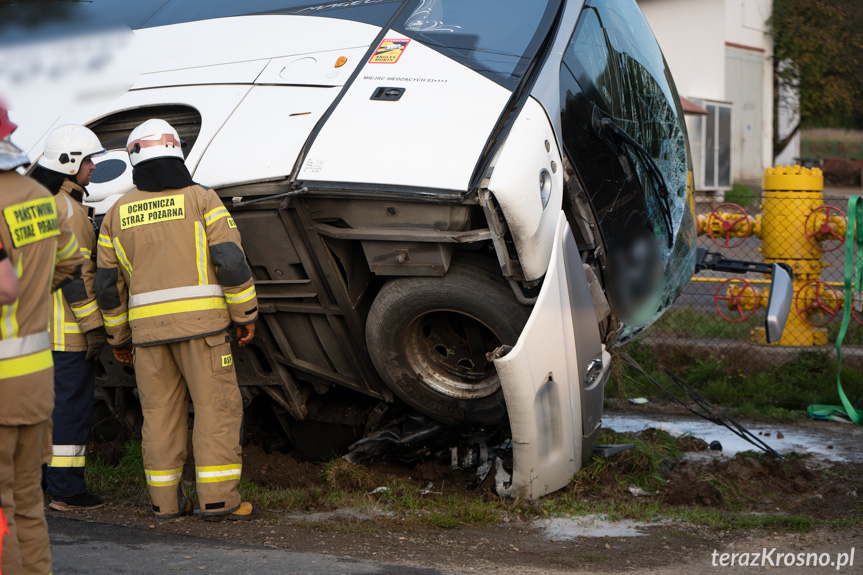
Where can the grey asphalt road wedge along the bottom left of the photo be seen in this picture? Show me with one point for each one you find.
(92, 548)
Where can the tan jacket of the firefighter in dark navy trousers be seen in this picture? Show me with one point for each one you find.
(74, 310)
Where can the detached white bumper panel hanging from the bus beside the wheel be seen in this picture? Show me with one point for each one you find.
(553, 379)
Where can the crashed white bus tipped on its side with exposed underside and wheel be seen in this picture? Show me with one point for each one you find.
(458, 206)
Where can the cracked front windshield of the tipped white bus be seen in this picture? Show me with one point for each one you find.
(614, 76)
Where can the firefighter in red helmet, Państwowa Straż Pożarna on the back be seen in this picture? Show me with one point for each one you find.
(45, 255)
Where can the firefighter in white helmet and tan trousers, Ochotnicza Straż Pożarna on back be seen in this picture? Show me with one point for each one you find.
(172, 279)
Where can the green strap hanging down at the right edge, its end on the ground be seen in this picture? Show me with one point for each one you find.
(853, 277)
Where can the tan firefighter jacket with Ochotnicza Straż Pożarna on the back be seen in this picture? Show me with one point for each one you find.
(171, 267)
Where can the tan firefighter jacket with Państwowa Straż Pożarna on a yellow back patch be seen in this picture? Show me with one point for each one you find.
(45, 255)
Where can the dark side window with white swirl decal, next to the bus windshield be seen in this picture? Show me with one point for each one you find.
(497, 38)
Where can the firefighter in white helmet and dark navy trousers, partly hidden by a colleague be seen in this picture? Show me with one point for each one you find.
(77, 334)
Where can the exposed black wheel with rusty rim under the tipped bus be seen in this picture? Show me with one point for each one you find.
(429, 339)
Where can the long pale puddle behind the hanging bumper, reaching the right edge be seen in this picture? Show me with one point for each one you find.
(844, 438)
